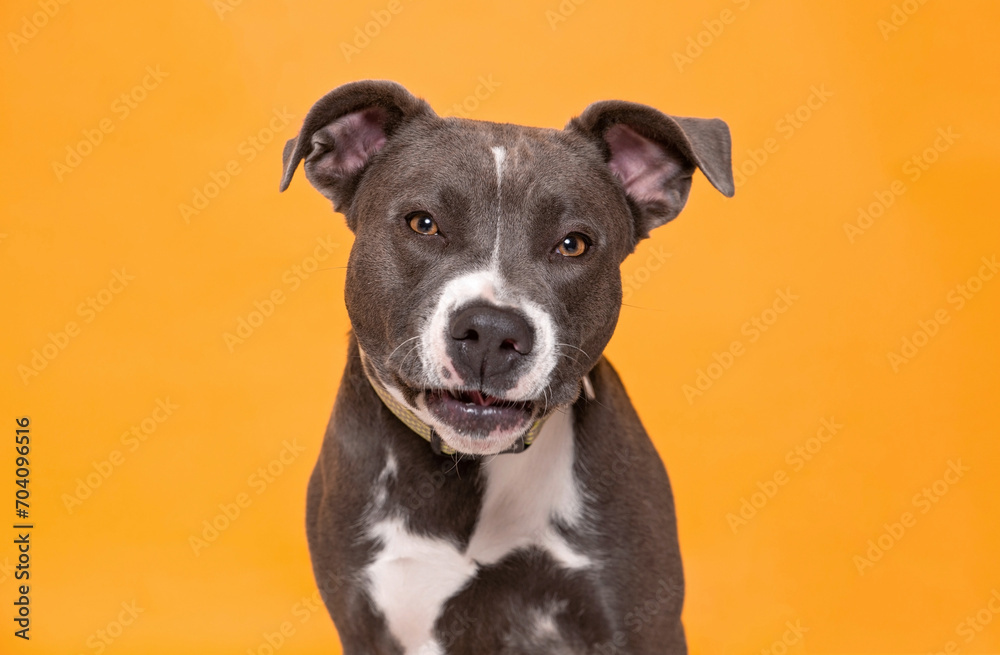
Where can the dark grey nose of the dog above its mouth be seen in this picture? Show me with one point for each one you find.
(488, 341)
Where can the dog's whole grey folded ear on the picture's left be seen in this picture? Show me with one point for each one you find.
(343, 131)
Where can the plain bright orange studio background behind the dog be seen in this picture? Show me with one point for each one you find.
(162, 336)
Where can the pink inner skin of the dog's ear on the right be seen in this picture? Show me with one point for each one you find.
(644, 167)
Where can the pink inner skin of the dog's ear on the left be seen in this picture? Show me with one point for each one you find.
(355, 138)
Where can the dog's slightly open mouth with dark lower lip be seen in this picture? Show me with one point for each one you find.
(477, 415)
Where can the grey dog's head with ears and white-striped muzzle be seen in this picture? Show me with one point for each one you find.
(484, 279)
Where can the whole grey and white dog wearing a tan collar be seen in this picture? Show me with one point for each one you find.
(485, 485)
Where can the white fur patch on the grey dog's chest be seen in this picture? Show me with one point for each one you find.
(526, 494)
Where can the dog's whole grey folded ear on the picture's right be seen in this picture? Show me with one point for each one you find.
(654, 156)
